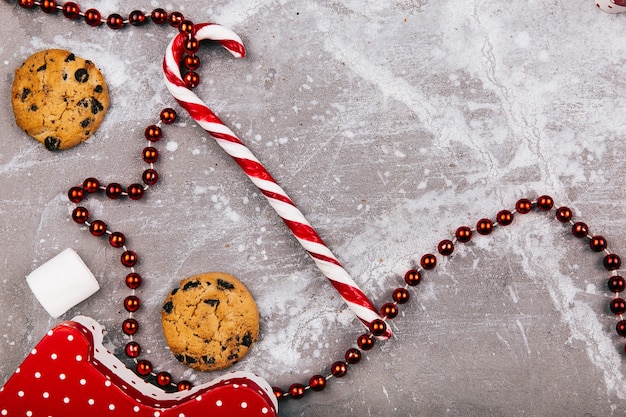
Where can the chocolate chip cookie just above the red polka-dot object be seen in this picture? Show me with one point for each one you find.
(210, 321)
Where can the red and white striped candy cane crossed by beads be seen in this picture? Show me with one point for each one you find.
(276, 196)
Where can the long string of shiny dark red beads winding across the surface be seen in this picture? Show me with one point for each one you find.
(400, 295)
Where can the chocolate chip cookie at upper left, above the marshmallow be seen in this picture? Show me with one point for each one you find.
(59, 98)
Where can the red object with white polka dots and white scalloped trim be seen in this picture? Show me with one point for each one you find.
(62, 374)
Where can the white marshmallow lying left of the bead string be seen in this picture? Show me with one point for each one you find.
(62, 282)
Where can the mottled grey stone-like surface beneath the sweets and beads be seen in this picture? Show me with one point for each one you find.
(390, 123)
